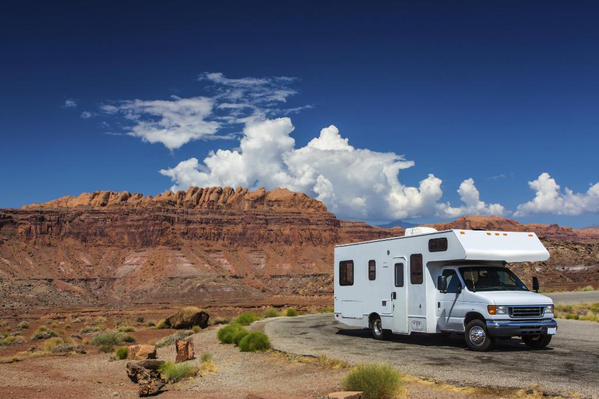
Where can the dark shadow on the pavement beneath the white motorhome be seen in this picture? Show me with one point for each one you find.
(441, 340)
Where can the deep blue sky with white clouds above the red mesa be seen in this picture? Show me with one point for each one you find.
(500, 92)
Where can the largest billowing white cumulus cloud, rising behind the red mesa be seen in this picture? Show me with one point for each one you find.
(352, 182)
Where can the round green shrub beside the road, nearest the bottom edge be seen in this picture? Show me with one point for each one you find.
(377, 381)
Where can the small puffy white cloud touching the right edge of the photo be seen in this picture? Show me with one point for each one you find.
(550, 199)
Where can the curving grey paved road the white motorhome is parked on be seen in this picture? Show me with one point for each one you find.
(569, 365)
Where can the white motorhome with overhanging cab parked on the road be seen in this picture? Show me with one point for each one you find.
(432, 281)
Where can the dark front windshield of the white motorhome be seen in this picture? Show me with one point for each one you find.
(485, 278)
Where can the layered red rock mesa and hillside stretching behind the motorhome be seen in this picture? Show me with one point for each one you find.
(213, 245)
